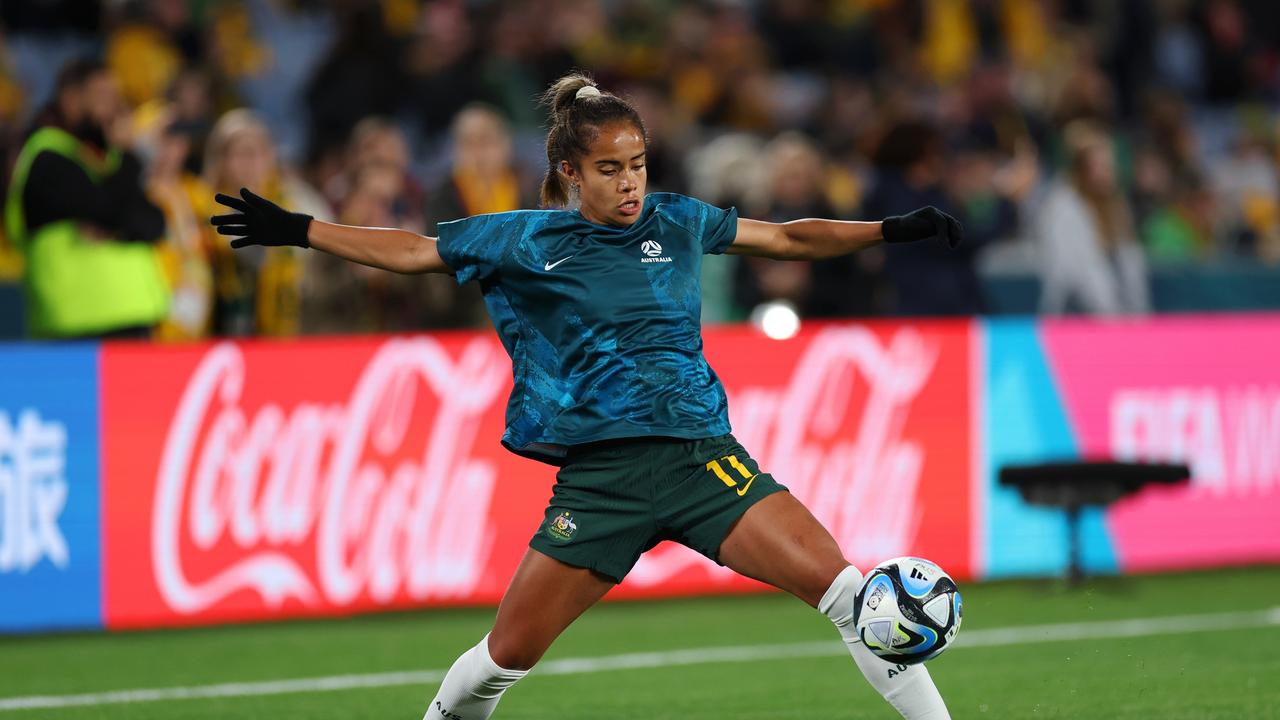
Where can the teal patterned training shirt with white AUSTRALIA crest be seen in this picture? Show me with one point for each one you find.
(602, 323)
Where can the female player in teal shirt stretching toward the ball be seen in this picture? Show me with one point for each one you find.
(600, 312)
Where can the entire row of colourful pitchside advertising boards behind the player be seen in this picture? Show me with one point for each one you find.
(180, 485)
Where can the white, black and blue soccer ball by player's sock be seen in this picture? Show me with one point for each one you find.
(908, 610)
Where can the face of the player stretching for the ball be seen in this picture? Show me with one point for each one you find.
(612, 176)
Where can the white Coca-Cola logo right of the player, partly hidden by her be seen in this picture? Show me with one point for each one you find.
(857, 473)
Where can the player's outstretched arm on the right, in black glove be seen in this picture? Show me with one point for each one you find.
(816, 240)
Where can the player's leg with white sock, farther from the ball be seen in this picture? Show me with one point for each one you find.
(543, 599)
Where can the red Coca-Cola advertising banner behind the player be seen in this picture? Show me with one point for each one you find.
(263, 480)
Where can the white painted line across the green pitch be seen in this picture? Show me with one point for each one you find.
(1022, 635)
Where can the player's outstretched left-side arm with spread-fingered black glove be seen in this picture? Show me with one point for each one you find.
(258, 221)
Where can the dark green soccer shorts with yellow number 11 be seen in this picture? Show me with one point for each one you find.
(616, 500)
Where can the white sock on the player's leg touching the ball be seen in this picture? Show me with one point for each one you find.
(909, 689)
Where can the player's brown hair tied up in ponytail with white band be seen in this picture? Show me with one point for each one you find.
(578, 111)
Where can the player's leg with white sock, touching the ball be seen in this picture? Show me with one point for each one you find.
(780, 543)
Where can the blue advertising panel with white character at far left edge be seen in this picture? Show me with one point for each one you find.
(51, 559)
